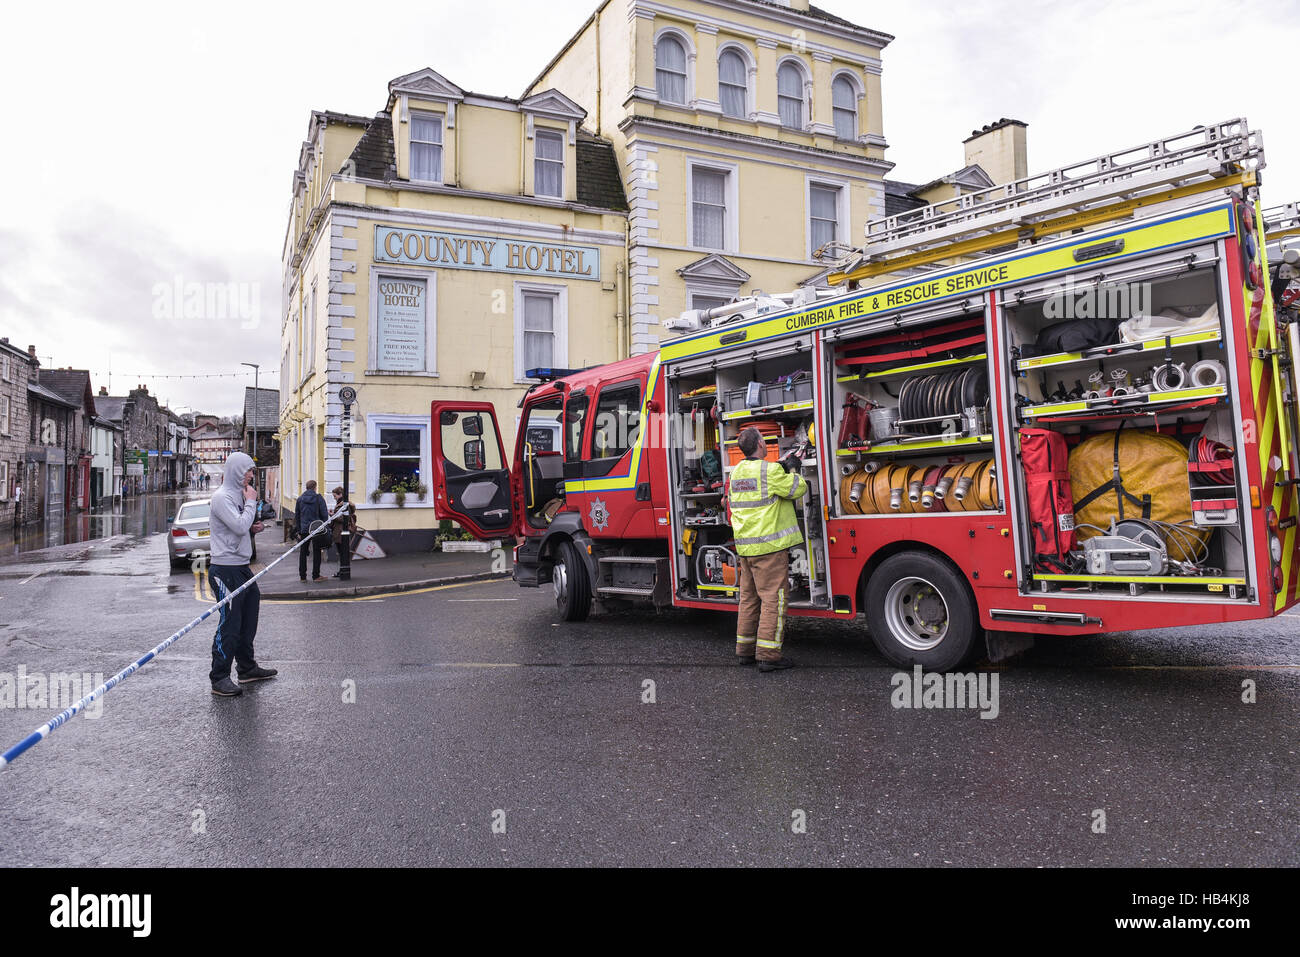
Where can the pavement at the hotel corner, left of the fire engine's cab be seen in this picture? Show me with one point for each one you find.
(397, 573)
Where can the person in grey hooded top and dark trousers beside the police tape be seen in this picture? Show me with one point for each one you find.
(232, 517)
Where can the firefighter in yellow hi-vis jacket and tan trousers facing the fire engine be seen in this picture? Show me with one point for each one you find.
(761, 500)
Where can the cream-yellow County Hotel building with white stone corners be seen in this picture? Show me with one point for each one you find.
(670, 157)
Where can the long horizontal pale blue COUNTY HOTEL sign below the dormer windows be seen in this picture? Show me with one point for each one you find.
(492, 254)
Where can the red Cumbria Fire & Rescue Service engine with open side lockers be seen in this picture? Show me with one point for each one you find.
(1061, 406)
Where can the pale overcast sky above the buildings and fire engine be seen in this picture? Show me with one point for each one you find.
(150, 145)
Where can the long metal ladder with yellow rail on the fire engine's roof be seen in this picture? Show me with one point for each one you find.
(1175, 171)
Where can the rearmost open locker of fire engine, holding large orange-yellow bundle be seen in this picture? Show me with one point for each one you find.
(1145, 417)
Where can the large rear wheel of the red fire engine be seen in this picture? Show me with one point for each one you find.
(920, 613)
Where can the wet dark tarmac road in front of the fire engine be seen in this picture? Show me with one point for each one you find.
(474, 708)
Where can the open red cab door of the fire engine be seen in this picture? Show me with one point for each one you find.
(471, 479)
